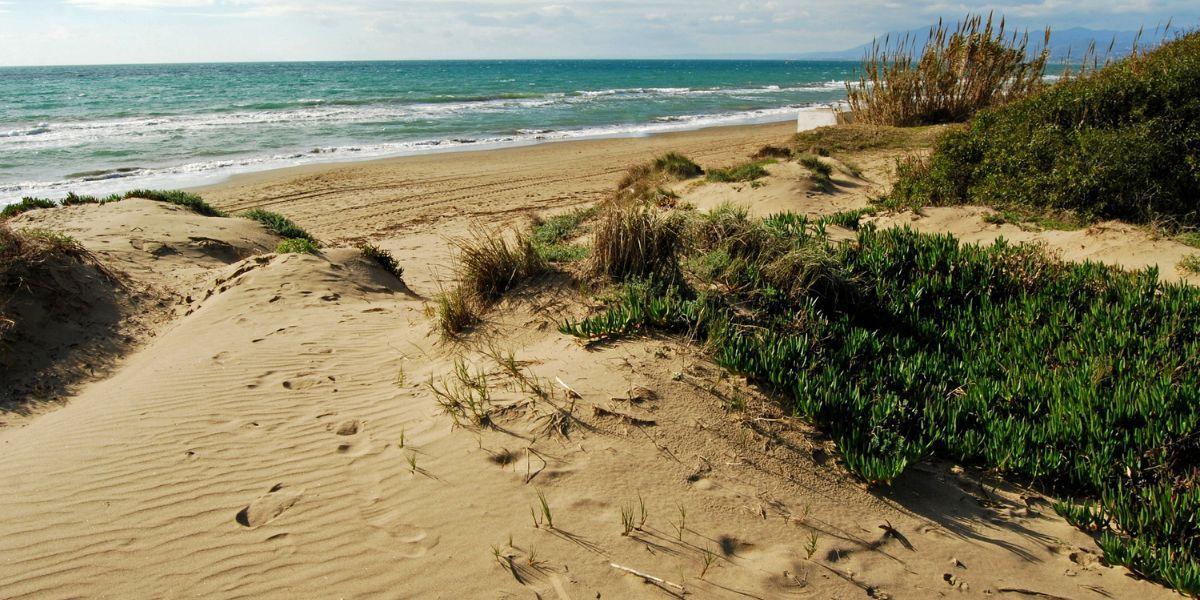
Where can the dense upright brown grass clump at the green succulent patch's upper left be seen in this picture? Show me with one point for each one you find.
(635, 242)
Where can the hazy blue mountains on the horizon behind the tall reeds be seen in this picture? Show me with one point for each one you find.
(1065, 44)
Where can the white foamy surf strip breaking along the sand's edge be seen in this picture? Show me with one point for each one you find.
(103, 182)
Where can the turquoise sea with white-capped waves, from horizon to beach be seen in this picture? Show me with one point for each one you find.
(103, 129)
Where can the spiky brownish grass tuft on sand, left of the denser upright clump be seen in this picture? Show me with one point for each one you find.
(490, 265)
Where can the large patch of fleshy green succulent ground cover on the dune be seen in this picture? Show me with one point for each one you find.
(1079, 379)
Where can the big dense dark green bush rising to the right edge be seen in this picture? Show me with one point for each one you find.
(1120, 143)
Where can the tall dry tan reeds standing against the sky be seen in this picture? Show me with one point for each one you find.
(959, 71)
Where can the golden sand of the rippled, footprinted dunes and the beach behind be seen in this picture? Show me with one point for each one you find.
(278, 437)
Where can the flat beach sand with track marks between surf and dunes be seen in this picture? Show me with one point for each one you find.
(359, 200)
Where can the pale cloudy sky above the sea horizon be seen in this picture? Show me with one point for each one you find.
(100, 32)
